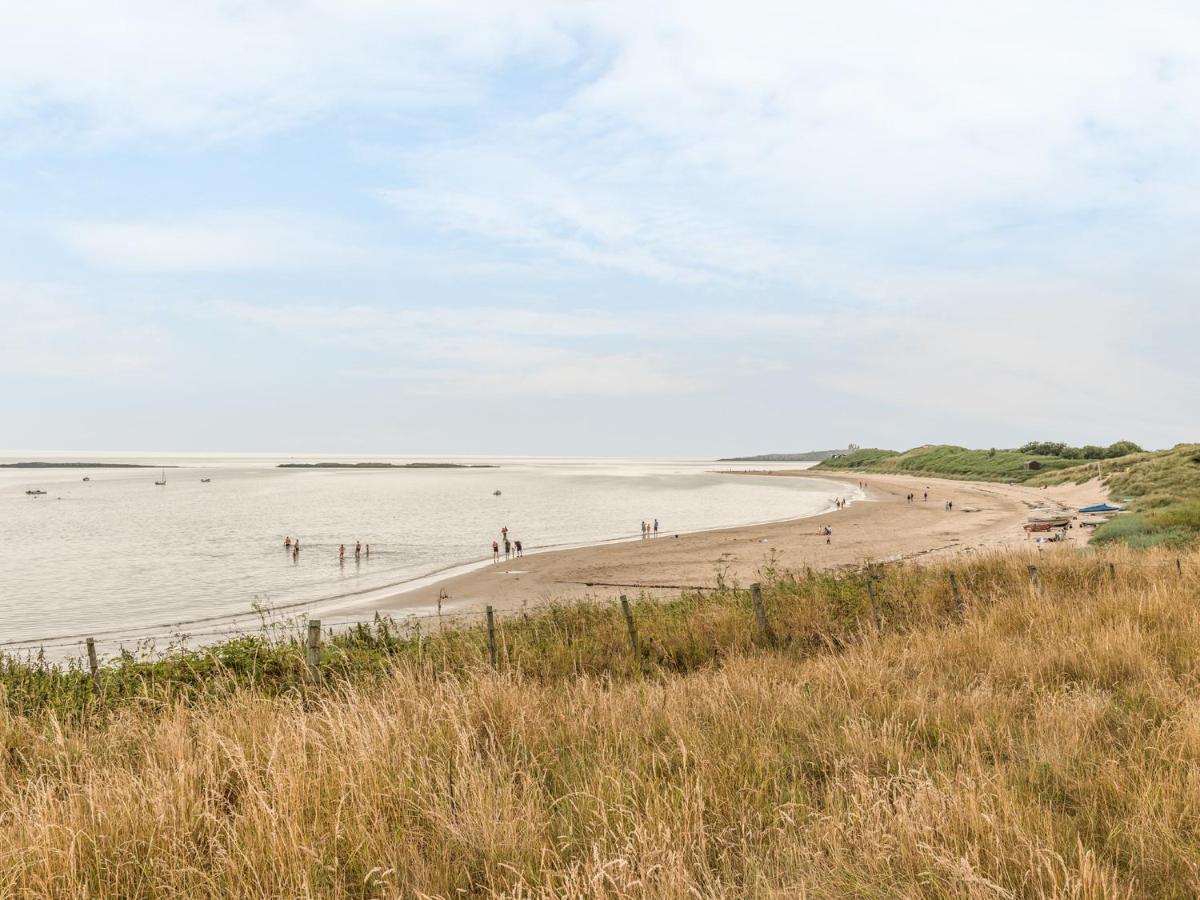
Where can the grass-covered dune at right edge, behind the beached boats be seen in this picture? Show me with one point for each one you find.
(1162, 491)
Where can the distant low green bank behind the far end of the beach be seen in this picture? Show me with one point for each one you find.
(946, 461)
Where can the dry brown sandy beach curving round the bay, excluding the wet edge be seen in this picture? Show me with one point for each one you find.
(881, 527)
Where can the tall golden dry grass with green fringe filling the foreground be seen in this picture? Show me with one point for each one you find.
(1024, 740)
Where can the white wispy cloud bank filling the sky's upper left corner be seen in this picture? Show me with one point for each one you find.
(227, 71)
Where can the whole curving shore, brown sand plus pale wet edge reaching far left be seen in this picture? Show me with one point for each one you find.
(875, 526)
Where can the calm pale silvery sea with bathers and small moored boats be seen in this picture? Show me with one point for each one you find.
(119, 557)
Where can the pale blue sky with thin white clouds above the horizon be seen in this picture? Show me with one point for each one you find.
(597, 229)
